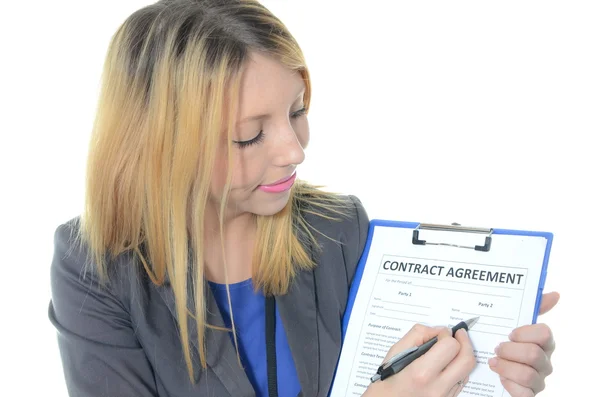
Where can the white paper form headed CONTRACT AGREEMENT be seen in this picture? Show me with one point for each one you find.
(404, 284)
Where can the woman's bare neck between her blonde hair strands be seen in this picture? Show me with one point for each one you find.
(228, 258)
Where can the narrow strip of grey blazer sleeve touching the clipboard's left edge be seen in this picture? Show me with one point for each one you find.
(356, 238)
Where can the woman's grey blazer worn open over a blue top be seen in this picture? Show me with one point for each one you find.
(123, 341)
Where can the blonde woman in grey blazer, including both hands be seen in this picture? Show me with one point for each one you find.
(194, 221)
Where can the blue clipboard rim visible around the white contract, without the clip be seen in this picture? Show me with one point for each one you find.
(415, 225)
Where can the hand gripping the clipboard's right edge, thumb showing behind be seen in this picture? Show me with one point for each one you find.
(524, 362)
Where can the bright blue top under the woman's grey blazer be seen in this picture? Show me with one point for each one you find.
(249, 312)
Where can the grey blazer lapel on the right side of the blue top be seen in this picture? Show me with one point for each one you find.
(298, 311)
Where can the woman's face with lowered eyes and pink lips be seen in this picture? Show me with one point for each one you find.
(270, 136)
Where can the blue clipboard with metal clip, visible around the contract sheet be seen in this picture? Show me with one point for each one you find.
(486, 246)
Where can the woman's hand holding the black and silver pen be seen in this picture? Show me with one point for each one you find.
(441, 372)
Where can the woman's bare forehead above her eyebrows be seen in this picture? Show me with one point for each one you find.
(267, 85)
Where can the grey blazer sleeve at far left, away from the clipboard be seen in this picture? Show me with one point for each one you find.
(100, 353)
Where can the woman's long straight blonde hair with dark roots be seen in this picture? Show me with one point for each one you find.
(170, 71)
